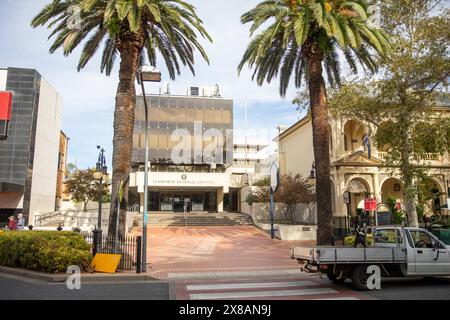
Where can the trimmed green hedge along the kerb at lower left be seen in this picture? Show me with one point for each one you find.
(46, 251)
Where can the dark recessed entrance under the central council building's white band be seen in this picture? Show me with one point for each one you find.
(179, 201)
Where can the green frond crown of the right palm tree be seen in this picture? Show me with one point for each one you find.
(292, 29)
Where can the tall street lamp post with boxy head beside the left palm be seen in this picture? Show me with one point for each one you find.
(146, 74)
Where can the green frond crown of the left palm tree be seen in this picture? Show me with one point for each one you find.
(168, 27)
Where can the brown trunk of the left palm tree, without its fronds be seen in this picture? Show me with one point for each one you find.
(123, 129)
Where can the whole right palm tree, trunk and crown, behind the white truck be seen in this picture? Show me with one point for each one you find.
(301, 37)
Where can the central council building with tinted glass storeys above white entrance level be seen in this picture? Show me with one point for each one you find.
(191, 151)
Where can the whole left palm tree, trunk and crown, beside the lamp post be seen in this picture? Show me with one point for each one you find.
(132, 30)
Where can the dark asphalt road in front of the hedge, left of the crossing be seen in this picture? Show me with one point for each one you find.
(18, 288)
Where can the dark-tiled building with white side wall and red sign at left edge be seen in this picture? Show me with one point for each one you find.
(29, 149)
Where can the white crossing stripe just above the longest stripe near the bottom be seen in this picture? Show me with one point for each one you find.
(249, 285)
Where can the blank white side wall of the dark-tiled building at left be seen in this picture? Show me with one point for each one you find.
(43, 188)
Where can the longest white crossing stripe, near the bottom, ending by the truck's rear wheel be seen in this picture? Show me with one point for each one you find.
(261, 294)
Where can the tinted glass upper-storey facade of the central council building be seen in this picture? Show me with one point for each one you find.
(197, 125)
